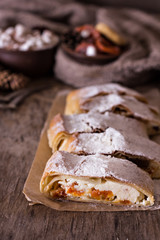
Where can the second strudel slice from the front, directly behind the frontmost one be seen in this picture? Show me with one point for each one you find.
(144, 152)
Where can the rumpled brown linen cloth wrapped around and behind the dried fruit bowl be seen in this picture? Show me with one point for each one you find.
(141, 62)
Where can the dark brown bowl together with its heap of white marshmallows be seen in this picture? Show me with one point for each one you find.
(30, 51)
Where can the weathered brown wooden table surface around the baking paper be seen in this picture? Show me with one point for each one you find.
(19, 135)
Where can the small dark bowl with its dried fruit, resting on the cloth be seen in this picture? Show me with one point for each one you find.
(93, 44)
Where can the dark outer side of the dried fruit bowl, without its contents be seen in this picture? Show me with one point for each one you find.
(96, 60)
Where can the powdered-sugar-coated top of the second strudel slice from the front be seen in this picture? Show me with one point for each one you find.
(117, 141)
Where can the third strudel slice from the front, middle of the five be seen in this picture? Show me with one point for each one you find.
(62, 126)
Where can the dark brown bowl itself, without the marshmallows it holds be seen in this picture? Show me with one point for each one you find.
(32, 62)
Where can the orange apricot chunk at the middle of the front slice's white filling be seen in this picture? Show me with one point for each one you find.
(101, 195)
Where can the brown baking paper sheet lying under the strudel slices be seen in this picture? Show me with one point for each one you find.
(31, 187)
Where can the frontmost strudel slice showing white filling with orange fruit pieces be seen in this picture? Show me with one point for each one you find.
(96, 178)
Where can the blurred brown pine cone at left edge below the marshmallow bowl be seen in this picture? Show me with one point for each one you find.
(12, 81)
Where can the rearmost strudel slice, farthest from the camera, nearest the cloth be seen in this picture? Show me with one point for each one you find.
(77, 97)
